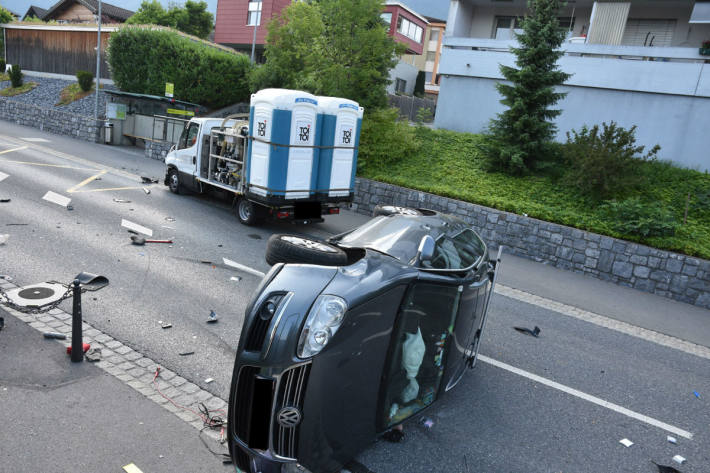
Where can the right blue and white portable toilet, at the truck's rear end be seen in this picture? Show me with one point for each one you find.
(341, 120)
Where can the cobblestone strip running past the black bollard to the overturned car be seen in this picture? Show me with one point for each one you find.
(131, 367)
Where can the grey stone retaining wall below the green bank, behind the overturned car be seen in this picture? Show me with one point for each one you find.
(661, 272)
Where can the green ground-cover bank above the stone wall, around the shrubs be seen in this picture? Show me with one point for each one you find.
(448, 163)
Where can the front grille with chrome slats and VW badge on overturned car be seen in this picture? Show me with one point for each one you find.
(291, 391)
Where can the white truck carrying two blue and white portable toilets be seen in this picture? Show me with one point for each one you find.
(299, 164)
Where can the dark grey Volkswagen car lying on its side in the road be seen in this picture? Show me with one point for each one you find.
(349, 337)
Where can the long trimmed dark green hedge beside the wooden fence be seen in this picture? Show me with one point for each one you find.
(142, 60)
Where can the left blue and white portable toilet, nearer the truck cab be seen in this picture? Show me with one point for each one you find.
(282, 160)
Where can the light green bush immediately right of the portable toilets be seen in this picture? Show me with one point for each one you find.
(385, 139)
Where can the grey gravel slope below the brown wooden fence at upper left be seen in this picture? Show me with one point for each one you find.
(46, 95)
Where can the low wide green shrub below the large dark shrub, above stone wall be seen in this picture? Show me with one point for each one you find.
(635, 217)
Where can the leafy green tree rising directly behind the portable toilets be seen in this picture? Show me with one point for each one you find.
(331, 47)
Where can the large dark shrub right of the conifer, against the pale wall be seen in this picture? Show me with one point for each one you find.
(604, 163)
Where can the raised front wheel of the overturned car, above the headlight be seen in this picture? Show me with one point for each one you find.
(300, 250)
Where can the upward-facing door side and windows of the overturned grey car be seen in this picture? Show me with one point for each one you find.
(457, 245)
